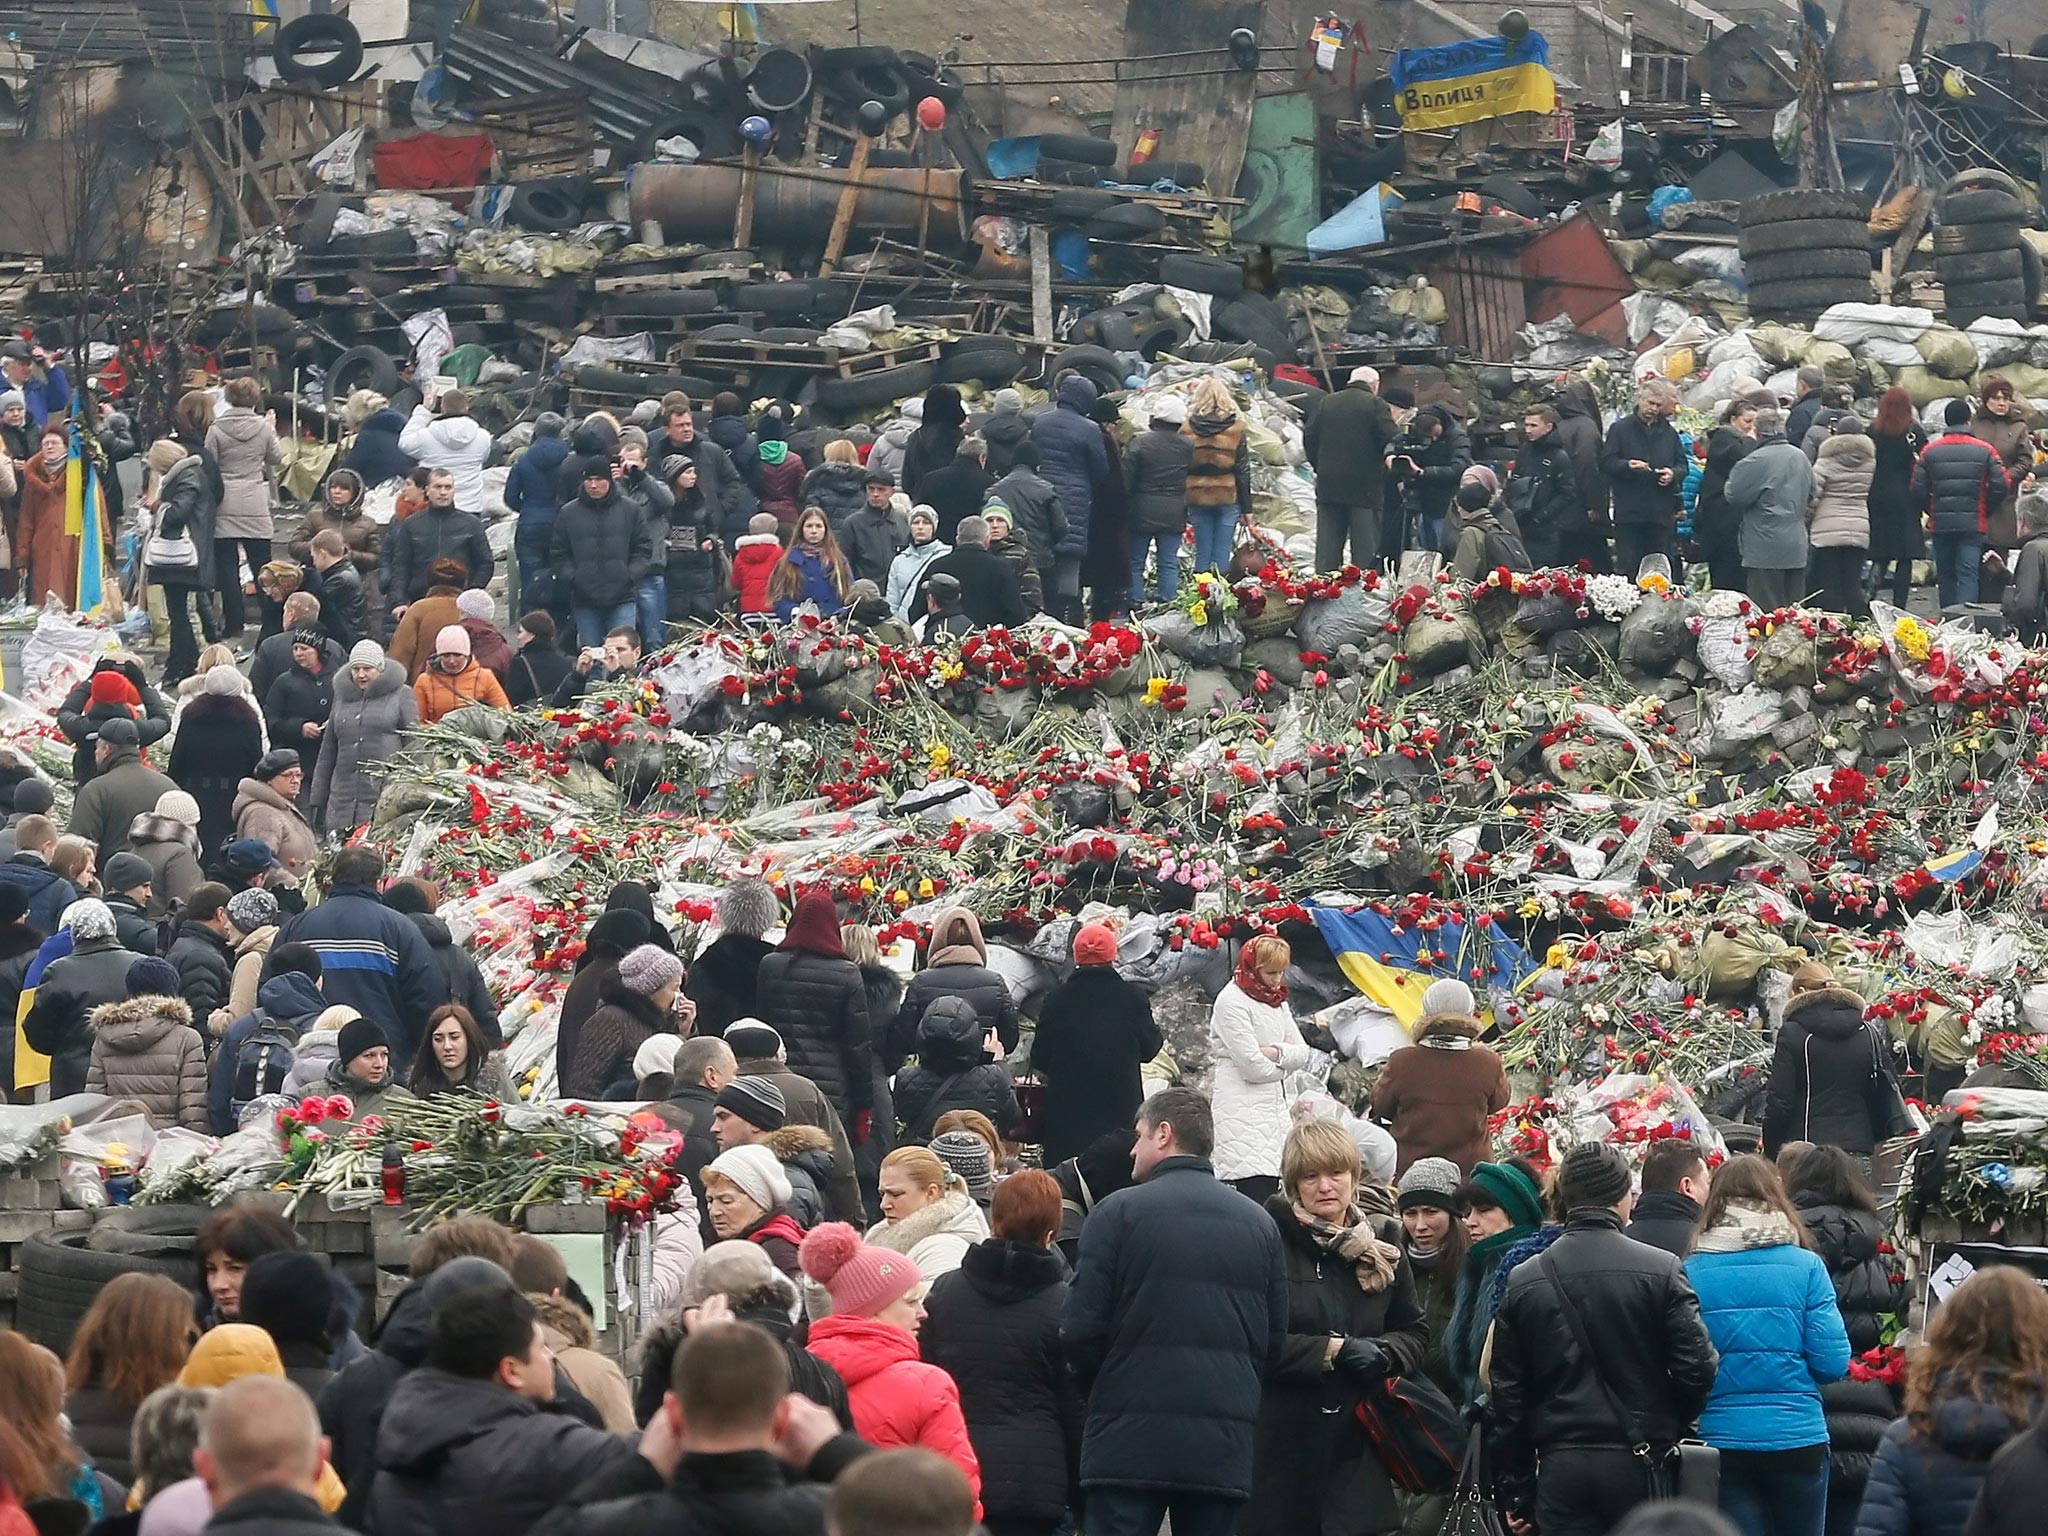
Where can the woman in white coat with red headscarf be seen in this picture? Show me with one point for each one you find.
(1256, 1046)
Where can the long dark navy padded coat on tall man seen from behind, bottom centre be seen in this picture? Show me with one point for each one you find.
(1175, 1369)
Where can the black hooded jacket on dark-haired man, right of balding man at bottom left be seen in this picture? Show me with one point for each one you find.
(472, 1455)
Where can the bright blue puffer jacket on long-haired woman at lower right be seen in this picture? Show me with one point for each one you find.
(1775, 1320)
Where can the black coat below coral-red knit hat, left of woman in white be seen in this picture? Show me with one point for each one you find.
(1095, 1035)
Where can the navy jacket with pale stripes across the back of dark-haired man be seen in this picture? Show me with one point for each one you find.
(376, 962)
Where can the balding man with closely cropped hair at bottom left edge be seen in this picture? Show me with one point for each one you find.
(259, 1455)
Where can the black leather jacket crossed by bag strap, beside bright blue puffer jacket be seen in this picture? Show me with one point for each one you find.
(1660, 1361)
